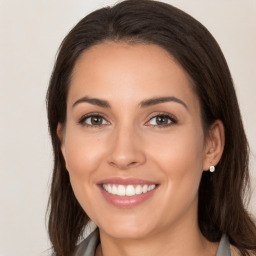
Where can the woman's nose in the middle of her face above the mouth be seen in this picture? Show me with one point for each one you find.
(126, 149)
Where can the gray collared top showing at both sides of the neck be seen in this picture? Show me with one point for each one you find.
(89, 245)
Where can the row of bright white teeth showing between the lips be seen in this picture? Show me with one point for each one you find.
(129, 190)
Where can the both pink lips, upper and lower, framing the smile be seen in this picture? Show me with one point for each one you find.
(126, 201)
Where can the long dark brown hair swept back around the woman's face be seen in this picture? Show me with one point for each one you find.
(221, 195)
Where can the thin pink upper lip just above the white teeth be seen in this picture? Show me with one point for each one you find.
(125, 181)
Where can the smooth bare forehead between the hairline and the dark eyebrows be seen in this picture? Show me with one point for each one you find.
(129, 72)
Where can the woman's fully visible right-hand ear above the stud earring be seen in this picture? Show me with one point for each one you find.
(214, 146)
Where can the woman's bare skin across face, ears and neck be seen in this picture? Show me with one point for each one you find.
(130, 143)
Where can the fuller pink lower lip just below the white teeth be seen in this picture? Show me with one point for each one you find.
(126, 201)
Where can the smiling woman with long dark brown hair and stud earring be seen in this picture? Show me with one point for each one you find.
(148, 139)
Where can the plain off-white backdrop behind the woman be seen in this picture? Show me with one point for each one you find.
(30, 33)
